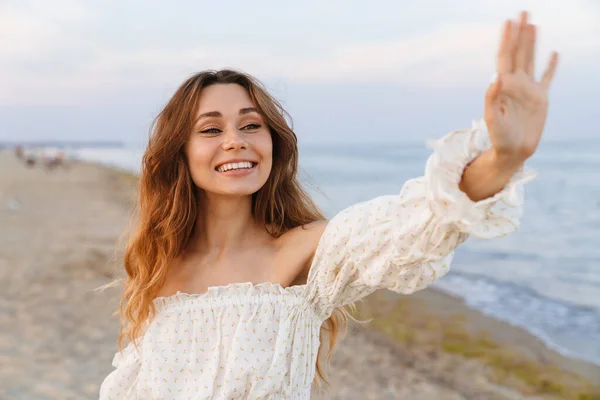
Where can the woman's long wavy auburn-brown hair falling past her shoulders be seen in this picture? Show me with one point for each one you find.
(168, 206)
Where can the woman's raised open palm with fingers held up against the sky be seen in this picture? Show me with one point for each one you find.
(516, 105)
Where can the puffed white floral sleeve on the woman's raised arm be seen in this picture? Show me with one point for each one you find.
(405, 242)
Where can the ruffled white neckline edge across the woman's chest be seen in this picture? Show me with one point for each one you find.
(232, 290)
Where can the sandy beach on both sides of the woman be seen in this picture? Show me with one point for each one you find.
(59, 231)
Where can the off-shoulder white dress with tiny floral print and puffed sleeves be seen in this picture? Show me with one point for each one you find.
(245, 341)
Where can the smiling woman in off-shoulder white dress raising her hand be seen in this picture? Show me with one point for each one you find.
(232, 272)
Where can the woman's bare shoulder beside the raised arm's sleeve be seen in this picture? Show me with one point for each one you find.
(297, 248)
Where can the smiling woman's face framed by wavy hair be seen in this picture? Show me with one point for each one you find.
(230, 147)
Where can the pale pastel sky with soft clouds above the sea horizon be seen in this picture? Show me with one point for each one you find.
(350, 71)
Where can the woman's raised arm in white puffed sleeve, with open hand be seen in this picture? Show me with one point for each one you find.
(472, 186)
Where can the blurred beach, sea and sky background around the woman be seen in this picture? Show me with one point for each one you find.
(367, 84)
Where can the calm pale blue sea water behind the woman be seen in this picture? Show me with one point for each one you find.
(545, 277)
